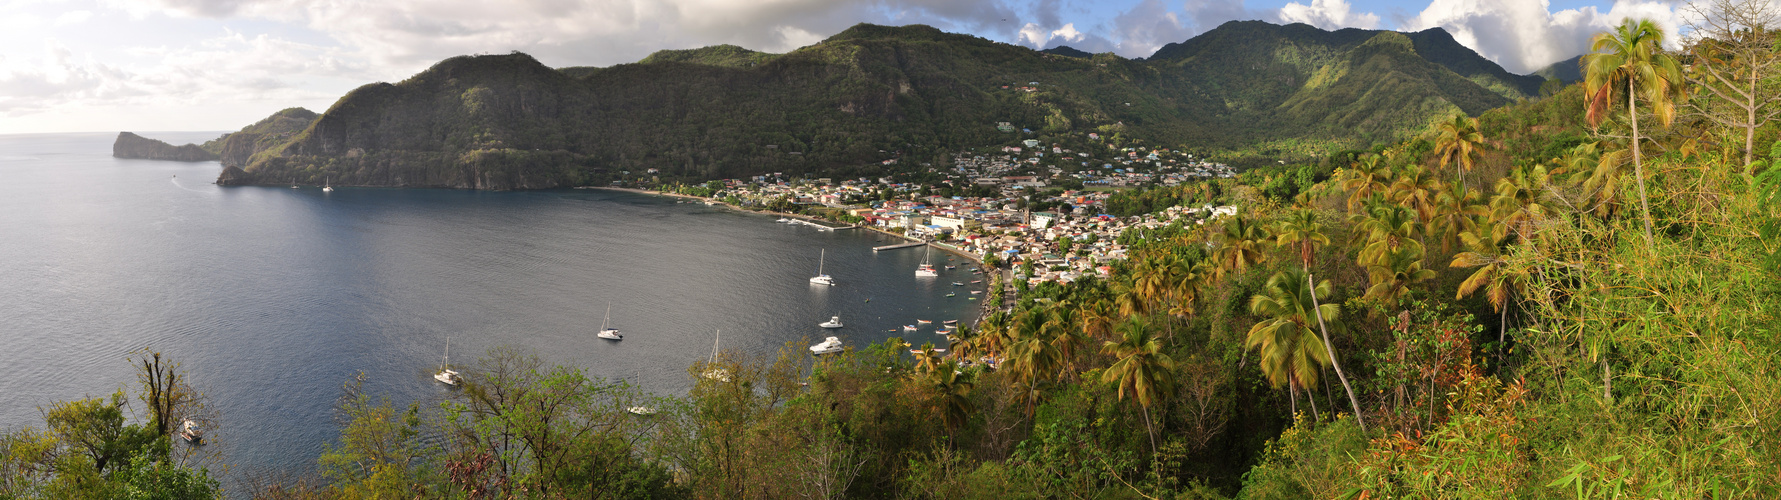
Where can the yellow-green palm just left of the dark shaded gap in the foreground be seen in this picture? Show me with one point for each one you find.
(1143, 369)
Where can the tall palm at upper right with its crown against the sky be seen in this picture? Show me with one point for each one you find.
(1631, 60)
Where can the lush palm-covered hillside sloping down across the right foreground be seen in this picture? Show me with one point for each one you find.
(1572, 298)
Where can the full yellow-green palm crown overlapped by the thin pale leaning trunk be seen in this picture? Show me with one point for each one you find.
(1290, 353)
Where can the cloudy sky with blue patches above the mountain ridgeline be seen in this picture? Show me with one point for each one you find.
(222, 65)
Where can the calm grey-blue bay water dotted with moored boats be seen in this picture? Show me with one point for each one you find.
(273, 298)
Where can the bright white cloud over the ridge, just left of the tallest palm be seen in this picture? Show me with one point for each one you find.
(1527, 35)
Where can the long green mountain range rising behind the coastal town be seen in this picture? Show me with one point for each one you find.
(875, 93)
